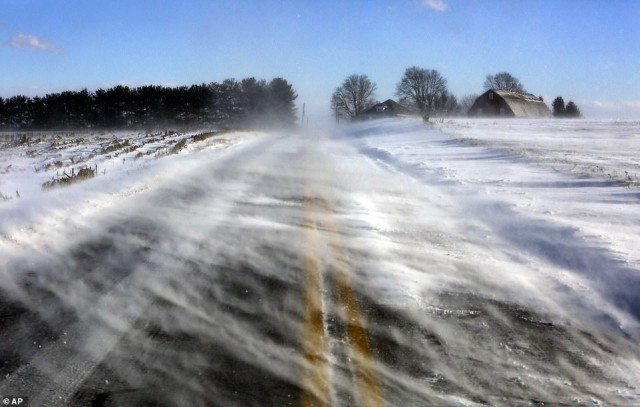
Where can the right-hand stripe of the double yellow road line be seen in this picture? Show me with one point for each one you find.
(366, 377)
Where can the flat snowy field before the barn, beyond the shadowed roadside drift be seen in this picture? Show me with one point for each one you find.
(599, 149)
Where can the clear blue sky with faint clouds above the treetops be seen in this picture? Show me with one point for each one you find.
(585, 50)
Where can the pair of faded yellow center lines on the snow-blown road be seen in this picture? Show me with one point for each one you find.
(314, 383)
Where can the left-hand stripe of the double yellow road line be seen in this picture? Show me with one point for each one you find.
(314, 385)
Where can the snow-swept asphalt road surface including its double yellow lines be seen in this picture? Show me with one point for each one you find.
(265, 277)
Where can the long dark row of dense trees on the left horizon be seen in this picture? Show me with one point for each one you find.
(250, 101)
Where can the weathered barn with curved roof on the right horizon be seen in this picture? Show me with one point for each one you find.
(509, 104)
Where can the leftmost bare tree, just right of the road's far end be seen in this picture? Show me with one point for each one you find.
(354, 96)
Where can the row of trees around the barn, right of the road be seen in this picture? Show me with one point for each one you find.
(425, 90)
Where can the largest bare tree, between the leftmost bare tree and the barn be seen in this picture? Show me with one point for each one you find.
(422, 87)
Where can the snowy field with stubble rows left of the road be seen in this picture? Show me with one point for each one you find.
(123, 162)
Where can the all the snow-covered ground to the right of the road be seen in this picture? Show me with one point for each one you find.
(563, 194)
